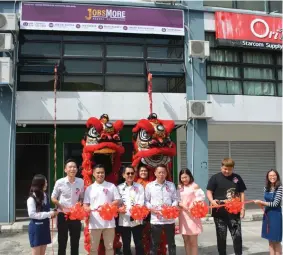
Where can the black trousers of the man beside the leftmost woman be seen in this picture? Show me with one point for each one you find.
(64, 226)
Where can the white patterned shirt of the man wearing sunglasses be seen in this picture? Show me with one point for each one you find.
(130, 195)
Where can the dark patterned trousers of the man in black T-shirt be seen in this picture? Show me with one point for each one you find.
(234, 226)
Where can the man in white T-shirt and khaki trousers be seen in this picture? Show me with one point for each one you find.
(98, 194)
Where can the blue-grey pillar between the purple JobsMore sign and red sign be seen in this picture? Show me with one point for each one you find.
(197, 137)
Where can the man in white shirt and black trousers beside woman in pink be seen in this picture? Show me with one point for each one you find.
(157, 193)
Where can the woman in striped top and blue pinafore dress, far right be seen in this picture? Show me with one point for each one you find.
(272, 219)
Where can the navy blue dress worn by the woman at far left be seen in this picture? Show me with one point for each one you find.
(39, 230)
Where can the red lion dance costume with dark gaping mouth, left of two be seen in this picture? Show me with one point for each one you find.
(102, 145)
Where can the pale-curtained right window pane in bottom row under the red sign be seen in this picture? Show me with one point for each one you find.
(259, 88)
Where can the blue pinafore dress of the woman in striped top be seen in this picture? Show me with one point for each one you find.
(272, 224)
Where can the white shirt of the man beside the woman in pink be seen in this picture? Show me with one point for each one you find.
(157, 195)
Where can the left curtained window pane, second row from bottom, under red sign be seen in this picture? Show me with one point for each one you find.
(223, 71)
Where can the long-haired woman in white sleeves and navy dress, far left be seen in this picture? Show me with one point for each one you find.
(39, 212)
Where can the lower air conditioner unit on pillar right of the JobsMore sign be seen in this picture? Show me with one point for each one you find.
(199, 109)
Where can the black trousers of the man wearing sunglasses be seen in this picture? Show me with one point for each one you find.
(126, 239)
